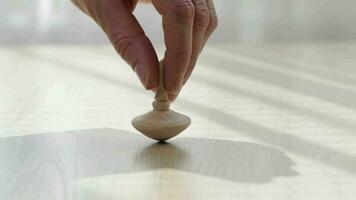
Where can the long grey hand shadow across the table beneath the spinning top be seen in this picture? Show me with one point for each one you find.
(98, 152)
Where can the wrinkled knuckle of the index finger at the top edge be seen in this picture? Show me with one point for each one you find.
(183, 10)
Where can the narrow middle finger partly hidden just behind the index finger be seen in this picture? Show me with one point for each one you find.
(201, 23)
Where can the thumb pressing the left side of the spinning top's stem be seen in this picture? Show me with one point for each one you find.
(129, 40)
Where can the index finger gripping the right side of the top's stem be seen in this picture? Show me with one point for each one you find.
(178, 17)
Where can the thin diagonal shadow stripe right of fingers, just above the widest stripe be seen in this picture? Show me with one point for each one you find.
(284, 81)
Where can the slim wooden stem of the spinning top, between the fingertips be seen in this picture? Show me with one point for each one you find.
(161, 102)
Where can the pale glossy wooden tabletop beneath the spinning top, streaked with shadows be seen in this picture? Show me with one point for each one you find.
(269, 121)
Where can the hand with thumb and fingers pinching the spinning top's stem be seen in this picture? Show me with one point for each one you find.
(187, 25)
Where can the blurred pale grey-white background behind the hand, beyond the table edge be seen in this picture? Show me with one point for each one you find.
(245, 21)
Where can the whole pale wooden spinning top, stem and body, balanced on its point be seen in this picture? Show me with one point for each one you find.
(161, 123)
